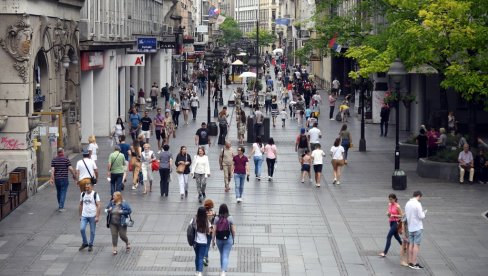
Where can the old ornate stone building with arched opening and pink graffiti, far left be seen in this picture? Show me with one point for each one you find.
(39, 85)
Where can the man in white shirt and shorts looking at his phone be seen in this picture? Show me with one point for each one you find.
(414, 215)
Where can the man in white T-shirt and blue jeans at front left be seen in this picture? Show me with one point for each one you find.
(89, 214)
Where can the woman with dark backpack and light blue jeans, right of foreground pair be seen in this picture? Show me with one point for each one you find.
(223, 235)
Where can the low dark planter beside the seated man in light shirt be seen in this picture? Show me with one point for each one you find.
(438, 170)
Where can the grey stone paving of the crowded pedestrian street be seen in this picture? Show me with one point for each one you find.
(284, 227)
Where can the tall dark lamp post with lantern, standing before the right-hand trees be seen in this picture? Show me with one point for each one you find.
(397, 75)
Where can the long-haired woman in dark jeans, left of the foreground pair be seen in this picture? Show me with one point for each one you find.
(200, 246)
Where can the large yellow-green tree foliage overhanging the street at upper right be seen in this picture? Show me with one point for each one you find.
(449, 35)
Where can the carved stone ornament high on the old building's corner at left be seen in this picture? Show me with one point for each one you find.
(17, 44)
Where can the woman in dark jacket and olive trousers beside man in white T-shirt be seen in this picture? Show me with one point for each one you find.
(118, 210)
